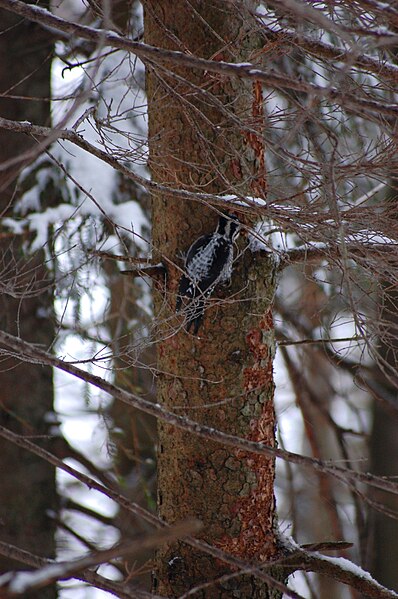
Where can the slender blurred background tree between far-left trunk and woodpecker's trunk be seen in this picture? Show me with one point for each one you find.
(131, 432)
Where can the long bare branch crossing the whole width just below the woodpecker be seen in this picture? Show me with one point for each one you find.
(30, 353)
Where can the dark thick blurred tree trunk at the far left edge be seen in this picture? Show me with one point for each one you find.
(28, 490)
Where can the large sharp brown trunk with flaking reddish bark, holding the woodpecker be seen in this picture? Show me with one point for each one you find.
(224, 377)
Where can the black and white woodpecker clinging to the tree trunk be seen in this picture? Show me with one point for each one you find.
(208, 262)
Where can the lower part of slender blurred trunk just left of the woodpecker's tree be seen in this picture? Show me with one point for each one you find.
(133, 433)
